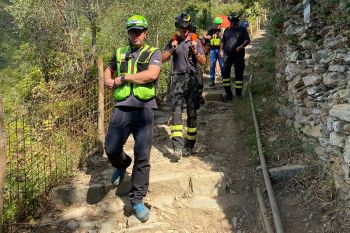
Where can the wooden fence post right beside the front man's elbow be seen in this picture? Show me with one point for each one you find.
(101, 109)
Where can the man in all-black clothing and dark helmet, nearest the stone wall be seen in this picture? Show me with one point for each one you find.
(234, 40)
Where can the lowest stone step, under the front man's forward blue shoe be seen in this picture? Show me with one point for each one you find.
(114, 214)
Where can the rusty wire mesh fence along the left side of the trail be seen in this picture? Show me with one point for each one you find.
(46, 144)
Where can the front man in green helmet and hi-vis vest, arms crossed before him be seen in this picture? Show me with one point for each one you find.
(132, 75)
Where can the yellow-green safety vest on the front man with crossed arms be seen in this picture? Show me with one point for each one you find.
(125, 66)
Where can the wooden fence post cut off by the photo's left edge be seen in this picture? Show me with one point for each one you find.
(2, 163)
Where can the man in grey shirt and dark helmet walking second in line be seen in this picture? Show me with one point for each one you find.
(186, 53)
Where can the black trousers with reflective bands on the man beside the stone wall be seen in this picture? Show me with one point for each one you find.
(237, 59)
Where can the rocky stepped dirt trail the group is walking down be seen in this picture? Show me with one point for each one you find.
(210, 191)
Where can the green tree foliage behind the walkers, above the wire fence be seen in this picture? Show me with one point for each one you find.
(62, 38)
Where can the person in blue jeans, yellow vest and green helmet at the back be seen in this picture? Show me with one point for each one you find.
(214, 37)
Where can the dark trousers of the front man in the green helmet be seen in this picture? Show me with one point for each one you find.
(139, 122)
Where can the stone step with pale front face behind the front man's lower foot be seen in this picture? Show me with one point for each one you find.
(165, 180)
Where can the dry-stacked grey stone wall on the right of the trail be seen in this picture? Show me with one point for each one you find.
(313, 76)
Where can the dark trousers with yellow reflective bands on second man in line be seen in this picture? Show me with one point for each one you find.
(184, 87)
